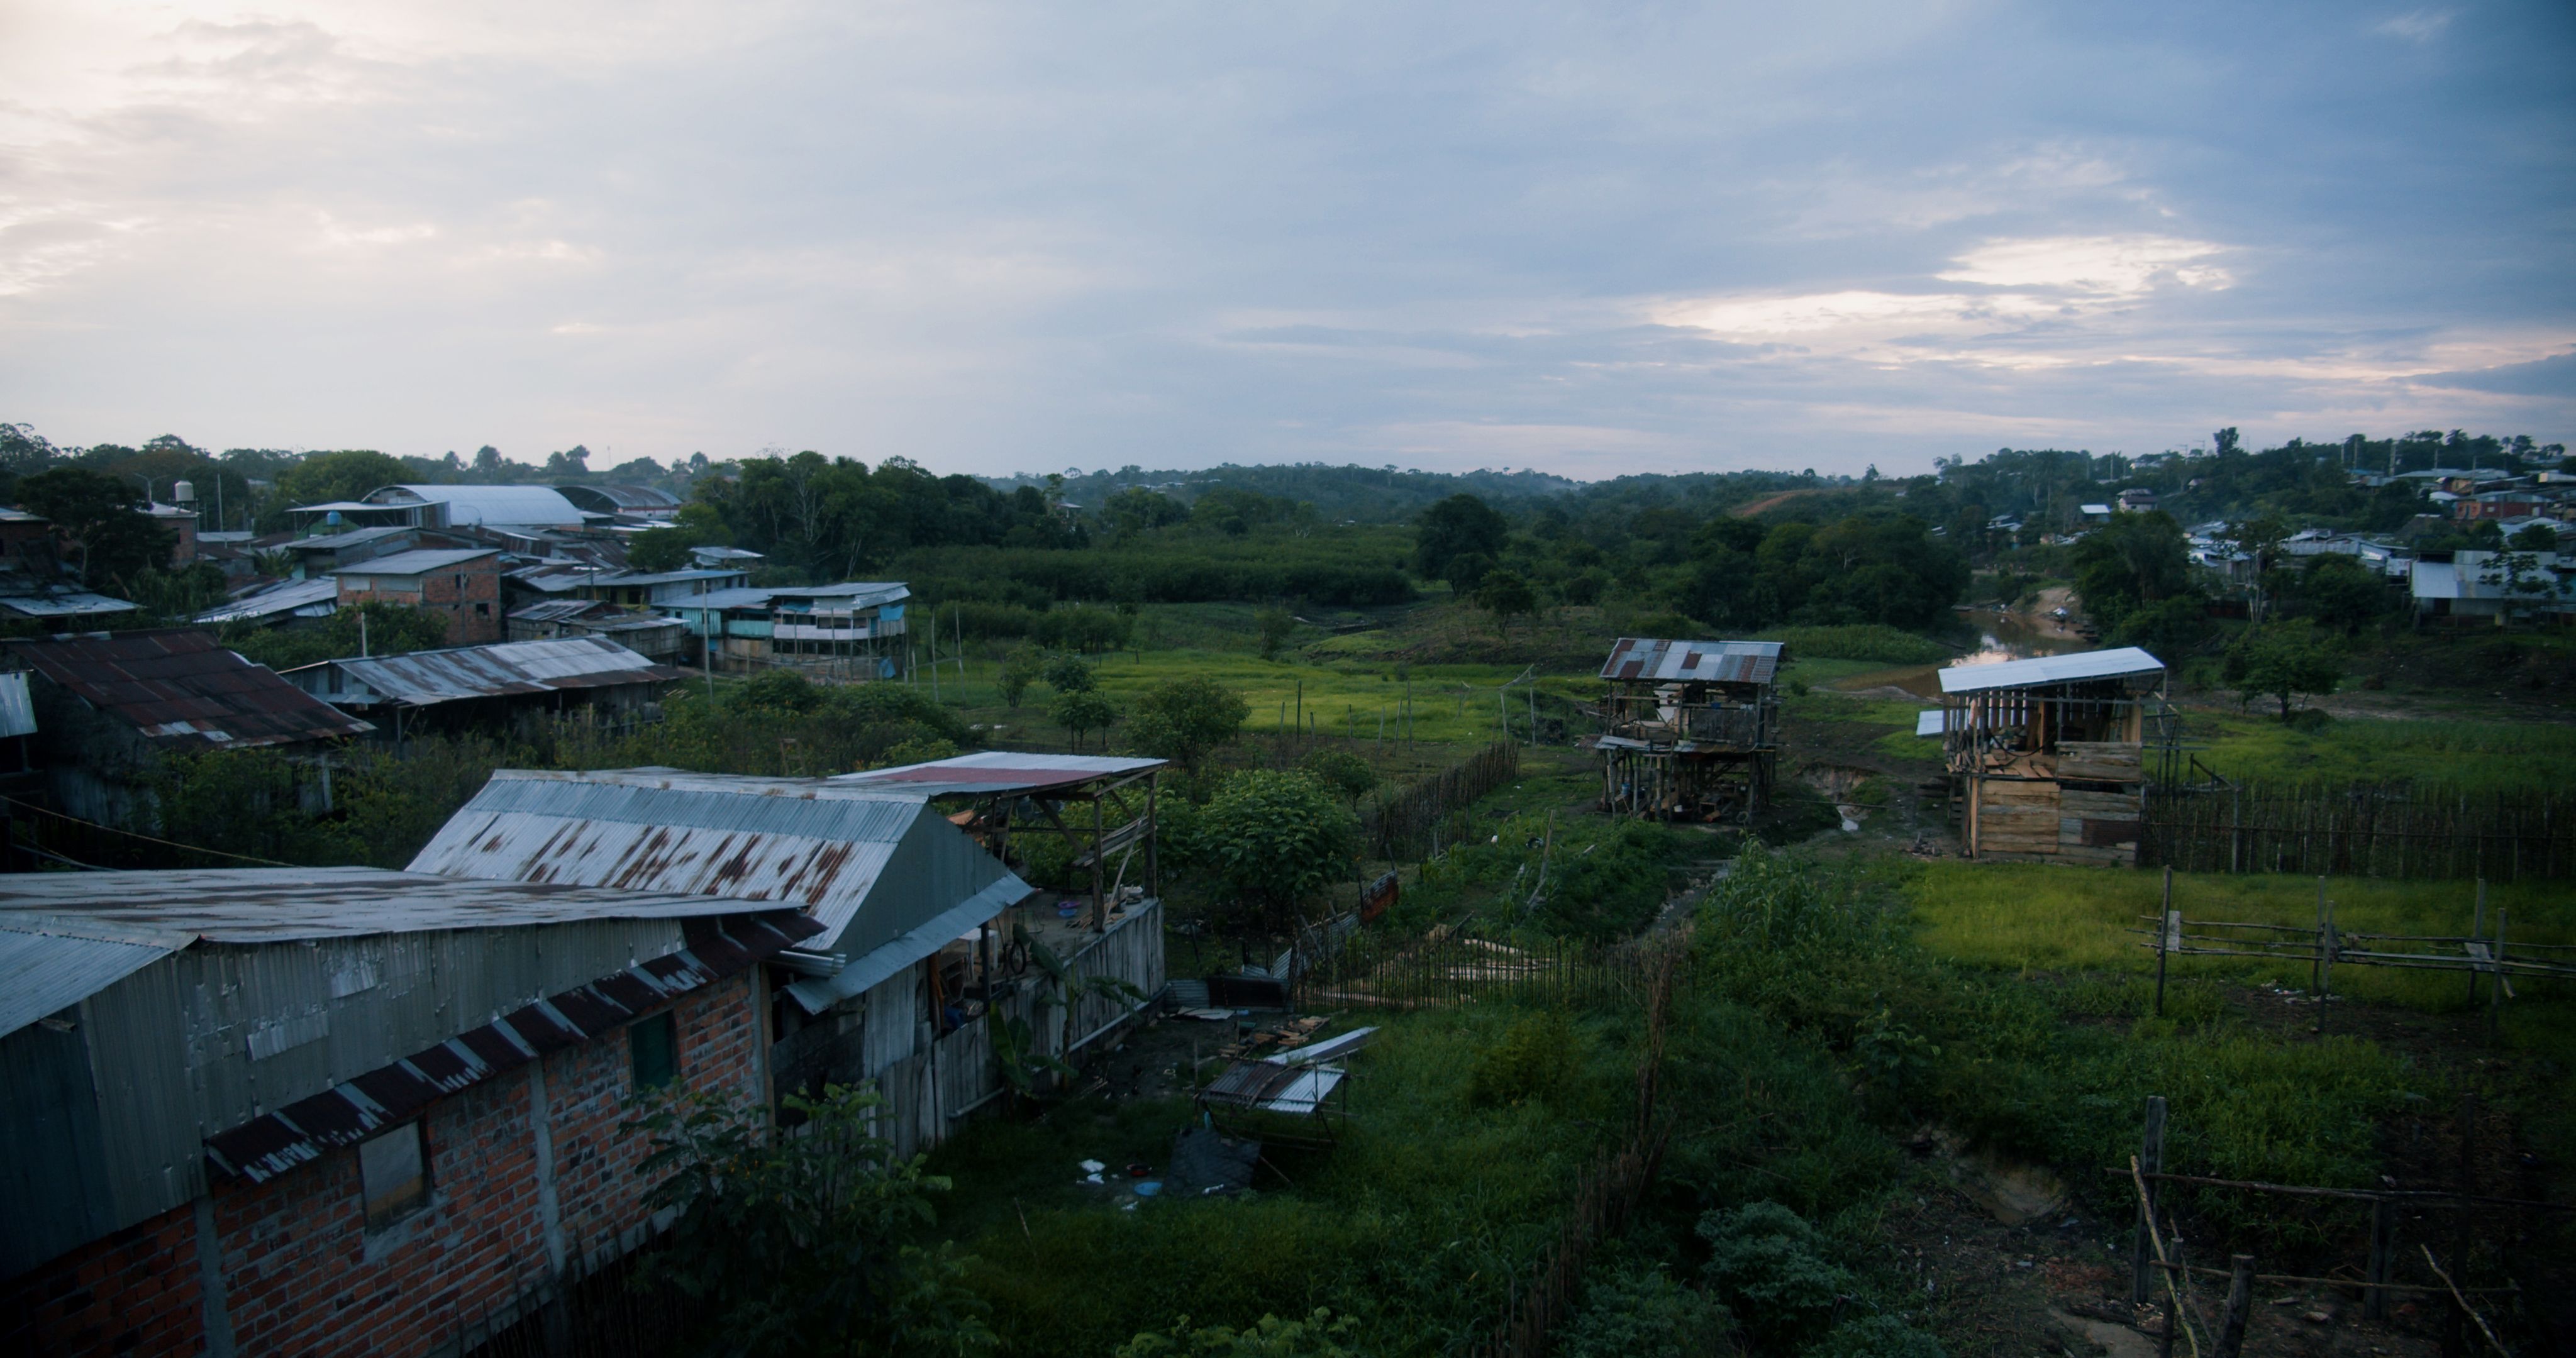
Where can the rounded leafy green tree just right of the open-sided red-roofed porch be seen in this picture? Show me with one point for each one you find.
(1276, 839)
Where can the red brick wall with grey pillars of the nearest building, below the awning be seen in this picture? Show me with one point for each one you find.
(300, 1269)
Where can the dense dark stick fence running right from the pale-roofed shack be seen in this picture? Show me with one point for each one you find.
(2361, 831)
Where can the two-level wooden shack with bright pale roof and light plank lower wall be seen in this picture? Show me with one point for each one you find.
(2049, 756)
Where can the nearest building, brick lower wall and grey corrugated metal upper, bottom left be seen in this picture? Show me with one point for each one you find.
(344, 1109)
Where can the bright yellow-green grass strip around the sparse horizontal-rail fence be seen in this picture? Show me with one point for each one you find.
(2057, 919)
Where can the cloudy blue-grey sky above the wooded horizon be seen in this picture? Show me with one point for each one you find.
(1019, 238)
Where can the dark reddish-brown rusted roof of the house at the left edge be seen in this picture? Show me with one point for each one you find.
(182, 687)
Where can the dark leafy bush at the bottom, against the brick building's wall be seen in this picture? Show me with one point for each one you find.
(802, 1241)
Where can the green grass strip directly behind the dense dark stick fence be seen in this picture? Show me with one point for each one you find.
(2467, 756)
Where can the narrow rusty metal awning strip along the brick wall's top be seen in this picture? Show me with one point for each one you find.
(385, 1096)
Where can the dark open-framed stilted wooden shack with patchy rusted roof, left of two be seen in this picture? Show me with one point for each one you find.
(1691, 731)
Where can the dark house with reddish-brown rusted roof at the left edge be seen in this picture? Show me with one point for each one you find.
(115, 705)
